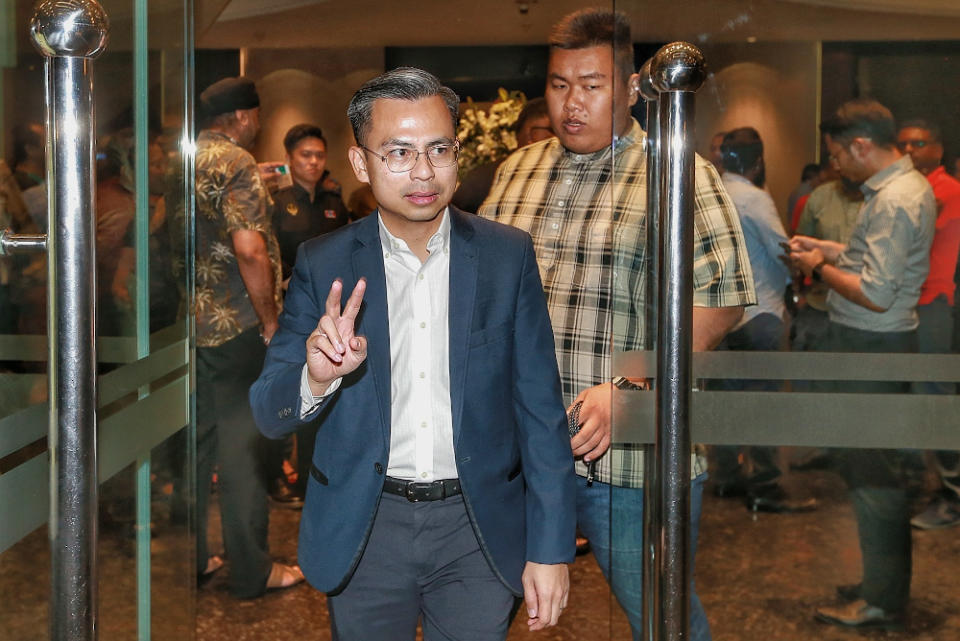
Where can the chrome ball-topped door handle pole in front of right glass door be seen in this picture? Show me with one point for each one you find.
(677, 71)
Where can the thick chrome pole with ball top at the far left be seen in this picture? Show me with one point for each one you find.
(70, 33)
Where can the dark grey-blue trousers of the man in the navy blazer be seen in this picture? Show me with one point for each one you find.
(422, 560)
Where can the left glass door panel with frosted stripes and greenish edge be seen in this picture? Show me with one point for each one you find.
(143, 99)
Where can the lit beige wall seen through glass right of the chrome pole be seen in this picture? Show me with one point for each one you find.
(772, 88)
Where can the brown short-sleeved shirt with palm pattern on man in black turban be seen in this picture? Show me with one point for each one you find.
(230, 197)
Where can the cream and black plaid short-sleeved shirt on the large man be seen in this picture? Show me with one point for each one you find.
(587, 216)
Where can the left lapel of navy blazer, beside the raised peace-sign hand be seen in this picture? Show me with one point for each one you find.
(368, 263)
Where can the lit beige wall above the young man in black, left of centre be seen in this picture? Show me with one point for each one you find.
(315, 86)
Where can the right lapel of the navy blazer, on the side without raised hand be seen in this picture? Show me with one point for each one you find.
(463, 286)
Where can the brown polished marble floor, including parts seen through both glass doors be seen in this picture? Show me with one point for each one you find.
(759, 575)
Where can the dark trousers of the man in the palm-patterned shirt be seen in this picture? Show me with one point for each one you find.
(228, 436)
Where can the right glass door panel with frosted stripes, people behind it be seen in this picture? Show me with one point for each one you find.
(824, 431)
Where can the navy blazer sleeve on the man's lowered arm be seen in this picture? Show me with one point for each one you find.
(547, 460)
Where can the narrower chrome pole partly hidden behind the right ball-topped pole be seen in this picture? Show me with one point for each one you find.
(651, 511)
